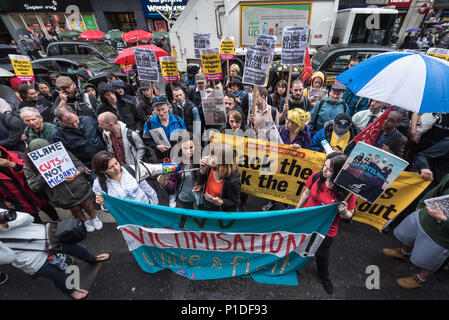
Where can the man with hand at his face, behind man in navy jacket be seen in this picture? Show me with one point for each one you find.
(82, 103)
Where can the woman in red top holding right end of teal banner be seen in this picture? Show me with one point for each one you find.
(320, 191)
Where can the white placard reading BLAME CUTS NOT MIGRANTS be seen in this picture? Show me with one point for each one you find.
(53, 163)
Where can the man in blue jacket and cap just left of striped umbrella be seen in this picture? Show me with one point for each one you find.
(328, 108)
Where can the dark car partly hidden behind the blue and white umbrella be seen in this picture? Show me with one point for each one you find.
(334, 59)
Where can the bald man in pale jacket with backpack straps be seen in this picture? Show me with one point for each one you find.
(124, 143)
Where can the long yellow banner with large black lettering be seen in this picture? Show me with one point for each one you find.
(278, 172)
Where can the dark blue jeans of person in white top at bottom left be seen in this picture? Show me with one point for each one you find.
(59, 276)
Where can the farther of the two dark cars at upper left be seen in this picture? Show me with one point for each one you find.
(97, 49)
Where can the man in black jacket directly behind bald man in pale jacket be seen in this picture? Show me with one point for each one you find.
(125, 110)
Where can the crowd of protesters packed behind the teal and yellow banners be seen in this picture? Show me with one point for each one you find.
(105, 128)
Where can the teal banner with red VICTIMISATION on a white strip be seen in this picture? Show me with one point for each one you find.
(267, 246)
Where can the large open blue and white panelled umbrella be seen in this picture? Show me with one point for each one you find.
(409, 80)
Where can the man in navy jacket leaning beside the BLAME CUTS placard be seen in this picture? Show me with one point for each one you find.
(80, 135)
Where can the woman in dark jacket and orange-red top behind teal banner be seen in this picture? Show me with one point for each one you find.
(220, 180)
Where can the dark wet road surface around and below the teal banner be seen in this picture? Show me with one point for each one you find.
(356, 248)
